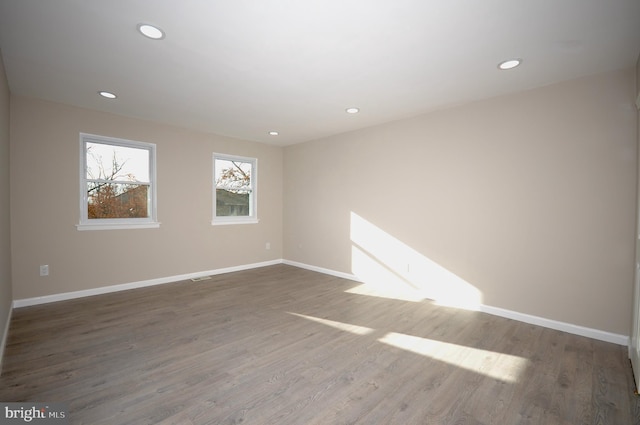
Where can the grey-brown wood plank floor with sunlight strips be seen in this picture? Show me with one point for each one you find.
(287, 346)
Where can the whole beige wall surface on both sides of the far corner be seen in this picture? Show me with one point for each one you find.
(527, 199)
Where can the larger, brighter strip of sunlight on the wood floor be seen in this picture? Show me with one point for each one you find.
(504, 367)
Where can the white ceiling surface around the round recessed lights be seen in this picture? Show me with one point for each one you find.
(242, 68)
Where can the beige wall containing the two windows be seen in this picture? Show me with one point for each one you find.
(45, 204)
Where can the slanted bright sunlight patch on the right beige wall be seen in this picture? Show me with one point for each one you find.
(389, 268)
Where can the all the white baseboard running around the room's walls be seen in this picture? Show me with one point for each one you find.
(496, 311)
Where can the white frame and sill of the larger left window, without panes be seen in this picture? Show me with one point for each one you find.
(116, 223)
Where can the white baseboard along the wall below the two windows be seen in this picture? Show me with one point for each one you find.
(26, 302)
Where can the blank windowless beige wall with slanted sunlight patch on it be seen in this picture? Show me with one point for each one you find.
(527, 199)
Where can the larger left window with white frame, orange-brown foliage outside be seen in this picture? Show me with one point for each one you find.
(117, 184)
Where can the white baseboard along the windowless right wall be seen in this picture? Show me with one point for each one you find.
(508, 314)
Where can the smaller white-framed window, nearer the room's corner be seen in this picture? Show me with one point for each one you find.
(234, 195)
